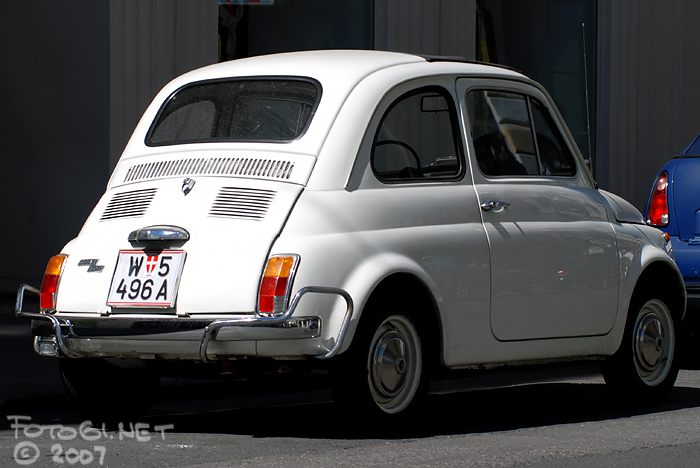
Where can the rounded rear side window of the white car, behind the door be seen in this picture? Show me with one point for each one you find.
(418, 138)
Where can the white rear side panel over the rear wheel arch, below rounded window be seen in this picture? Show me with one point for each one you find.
(431, 231)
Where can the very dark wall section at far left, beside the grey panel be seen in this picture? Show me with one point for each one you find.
(54, 94)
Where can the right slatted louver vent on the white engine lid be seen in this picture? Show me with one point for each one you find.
(242, 203)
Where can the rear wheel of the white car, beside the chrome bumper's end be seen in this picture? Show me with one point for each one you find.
(385, 373)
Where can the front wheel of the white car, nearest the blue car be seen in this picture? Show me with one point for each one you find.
(644, 368)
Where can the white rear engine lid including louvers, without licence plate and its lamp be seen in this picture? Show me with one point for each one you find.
(232, 222)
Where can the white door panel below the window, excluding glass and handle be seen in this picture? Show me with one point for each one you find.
(553, 261)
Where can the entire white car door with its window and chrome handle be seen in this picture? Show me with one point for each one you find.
(553, 250)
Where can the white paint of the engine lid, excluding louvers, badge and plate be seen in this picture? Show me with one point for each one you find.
(225, 256)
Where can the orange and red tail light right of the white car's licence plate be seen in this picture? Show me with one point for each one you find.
(276, 284)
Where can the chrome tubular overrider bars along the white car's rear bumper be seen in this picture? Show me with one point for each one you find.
(247, 328)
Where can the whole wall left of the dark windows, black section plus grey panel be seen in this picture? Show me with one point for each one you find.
(75, 78)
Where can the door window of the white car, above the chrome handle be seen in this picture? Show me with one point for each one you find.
(513, 135)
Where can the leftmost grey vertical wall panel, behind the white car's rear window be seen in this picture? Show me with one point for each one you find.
(152, 42)
